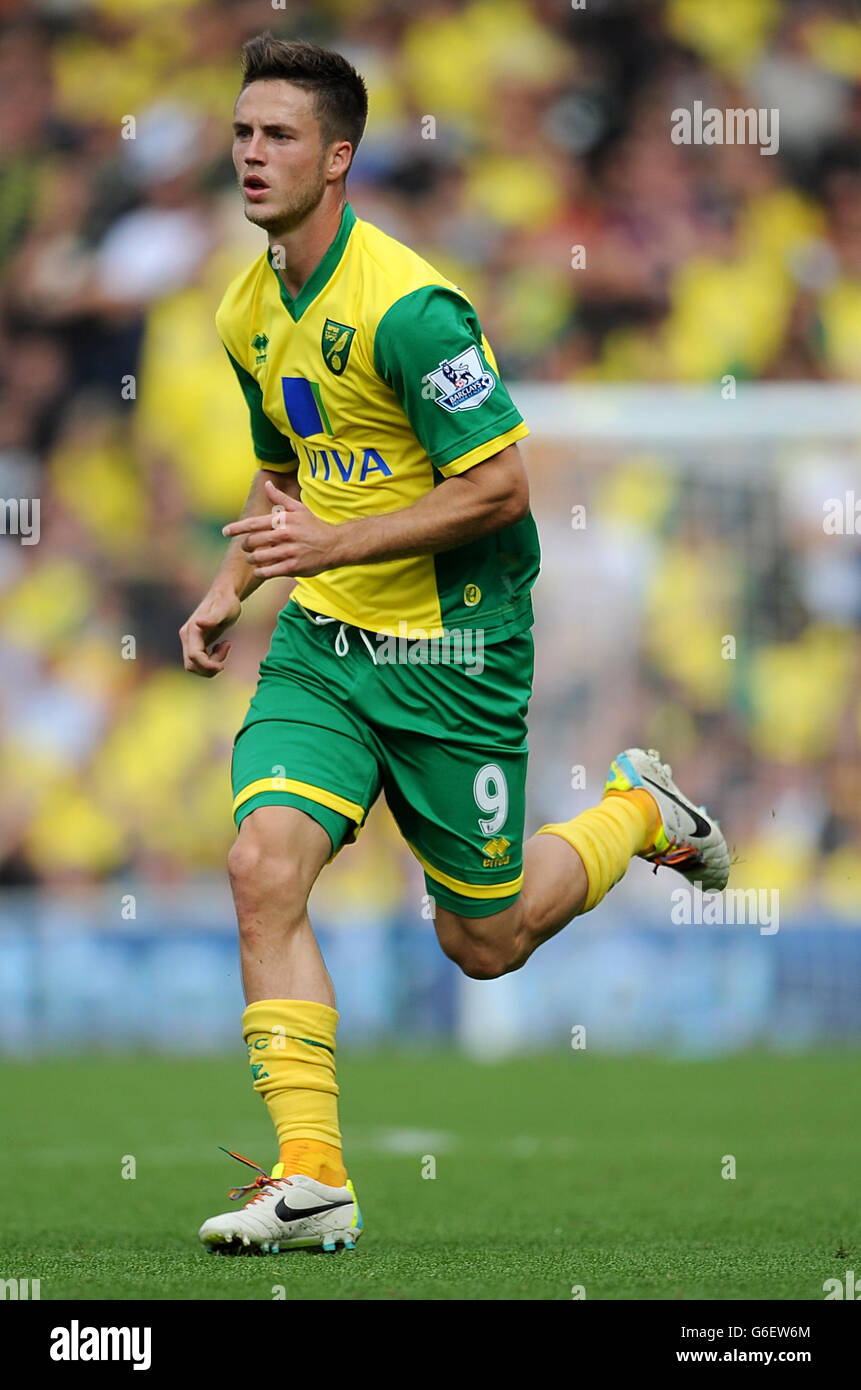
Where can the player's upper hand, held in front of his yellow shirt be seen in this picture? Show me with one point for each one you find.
(289, 541)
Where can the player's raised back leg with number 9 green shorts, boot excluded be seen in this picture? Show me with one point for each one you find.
(456, 782)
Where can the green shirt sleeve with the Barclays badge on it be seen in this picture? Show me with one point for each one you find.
(414, 338)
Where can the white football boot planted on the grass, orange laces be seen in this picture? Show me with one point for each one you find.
(286, 1214)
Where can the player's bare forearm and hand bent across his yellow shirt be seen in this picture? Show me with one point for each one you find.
(293, 541)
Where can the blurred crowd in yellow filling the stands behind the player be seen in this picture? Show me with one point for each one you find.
(503, 137)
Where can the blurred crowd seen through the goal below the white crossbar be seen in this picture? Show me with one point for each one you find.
(706, 612)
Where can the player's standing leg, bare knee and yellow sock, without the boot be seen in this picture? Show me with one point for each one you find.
(290, 1021)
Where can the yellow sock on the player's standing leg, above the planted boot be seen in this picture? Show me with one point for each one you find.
(291, 1046)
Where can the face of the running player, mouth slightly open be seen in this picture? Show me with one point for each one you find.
(279, 155)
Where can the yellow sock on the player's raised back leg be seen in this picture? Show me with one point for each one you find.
(609, 836)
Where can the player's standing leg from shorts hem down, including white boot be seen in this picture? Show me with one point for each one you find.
(290, 1029)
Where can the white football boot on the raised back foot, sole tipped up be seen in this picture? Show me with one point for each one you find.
(689, 840)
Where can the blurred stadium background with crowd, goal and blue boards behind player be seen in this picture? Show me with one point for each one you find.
(705, 515)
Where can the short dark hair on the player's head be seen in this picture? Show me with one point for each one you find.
(339, 91)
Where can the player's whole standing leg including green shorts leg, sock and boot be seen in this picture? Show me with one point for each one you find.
(304, 779)
